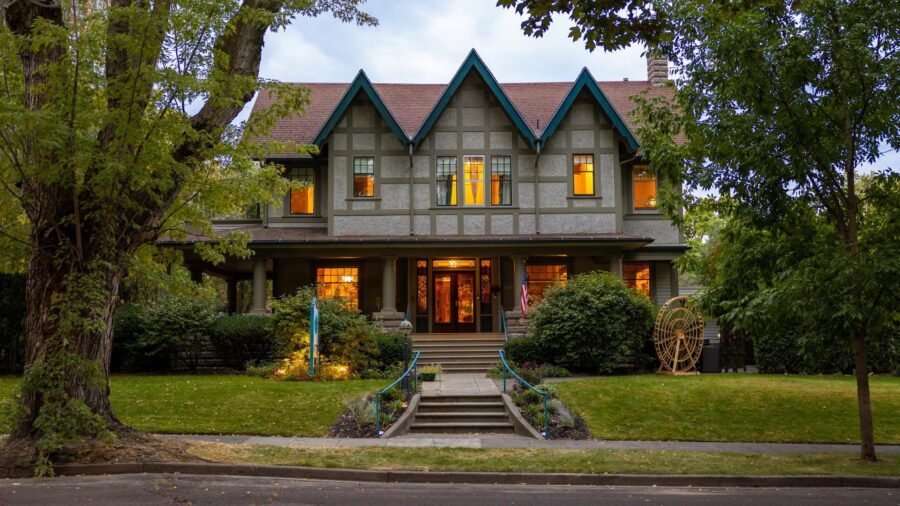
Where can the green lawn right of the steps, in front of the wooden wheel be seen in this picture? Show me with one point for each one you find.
(732, 407)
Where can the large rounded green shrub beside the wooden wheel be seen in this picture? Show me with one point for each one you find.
(592, 324)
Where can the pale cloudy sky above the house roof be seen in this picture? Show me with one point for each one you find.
(425, 41)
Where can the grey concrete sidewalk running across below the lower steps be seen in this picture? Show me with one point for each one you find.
(514, 441)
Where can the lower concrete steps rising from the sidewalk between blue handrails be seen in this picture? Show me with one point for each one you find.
(462, 414)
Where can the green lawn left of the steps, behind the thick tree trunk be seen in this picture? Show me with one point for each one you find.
(224, 404)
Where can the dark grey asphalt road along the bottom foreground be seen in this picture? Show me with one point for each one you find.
(150, 489)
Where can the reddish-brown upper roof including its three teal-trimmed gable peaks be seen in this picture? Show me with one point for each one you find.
(412, 109)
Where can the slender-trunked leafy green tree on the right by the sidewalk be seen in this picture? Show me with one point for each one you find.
(779, 104)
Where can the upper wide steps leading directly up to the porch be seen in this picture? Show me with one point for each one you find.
(474, 353)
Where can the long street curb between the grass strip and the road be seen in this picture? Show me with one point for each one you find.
(315, 473)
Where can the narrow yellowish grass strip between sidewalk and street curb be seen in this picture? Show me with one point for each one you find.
(551, 461)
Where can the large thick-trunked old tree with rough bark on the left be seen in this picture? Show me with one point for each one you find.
(115, 128)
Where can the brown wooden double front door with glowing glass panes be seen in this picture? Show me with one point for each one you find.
(454, 301)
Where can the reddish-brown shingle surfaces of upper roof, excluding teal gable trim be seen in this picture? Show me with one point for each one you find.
(411, 103)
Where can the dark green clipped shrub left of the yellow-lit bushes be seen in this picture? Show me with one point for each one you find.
(243, 338)
